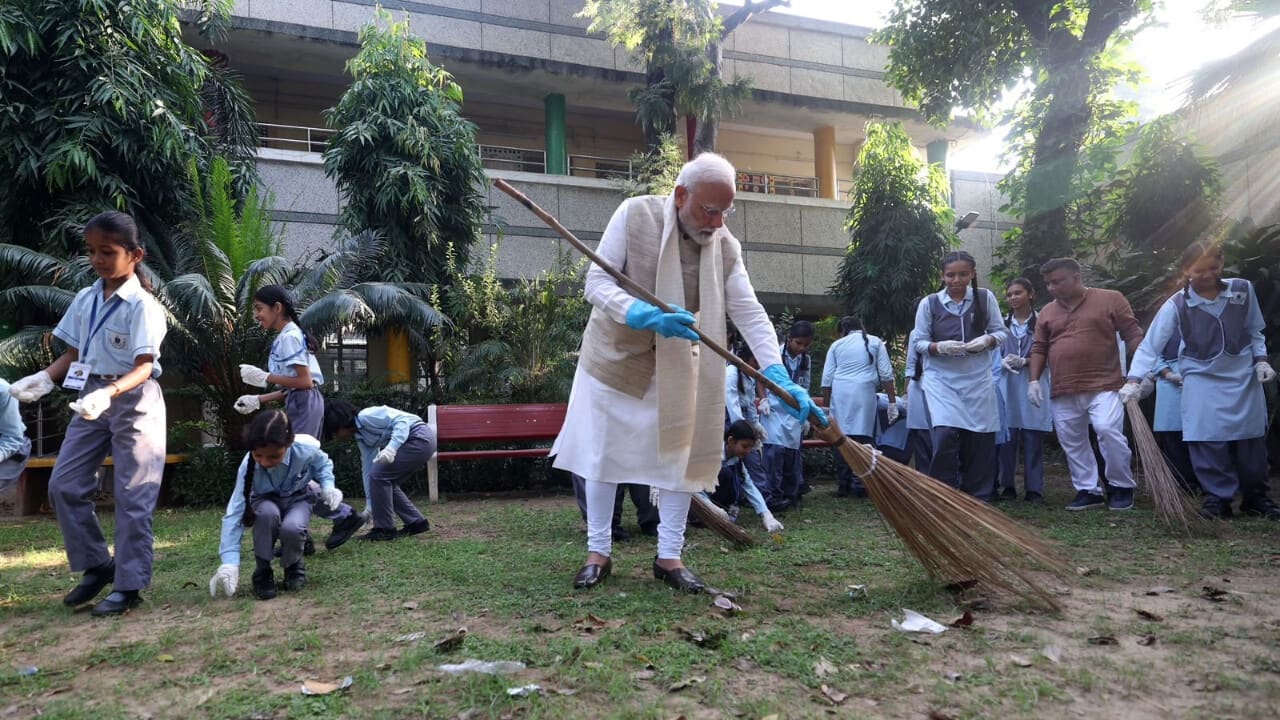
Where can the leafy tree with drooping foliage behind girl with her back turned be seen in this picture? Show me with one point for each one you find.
(899, 229)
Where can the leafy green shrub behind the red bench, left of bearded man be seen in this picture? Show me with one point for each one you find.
(515, 343)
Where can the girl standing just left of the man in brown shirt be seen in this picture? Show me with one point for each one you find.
(1027, 423)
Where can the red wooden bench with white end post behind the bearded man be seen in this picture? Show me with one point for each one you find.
(499, 423)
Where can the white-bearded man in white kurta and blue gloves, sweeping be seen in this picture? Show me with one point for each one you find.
(647, 407)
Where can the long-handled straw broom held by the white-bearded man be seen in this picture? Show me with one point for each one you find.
(953, 535)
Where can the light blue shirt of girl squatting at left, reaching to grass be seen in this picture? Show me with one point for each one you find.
(303, 463)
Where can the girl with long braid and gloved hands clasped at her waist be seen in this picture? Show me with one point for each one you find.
(958, 327)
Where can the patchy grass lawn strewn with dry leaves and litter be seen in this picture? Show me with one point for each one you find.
(502, 567)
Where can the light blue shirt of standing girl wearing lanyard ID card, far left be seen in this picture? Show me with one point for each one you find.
(126, 326)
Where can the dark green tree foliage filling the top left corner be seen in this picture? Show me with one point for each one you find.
(103, 107)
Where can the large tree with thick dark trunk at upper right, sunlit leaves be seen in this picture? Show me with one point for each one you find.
(1055, 62)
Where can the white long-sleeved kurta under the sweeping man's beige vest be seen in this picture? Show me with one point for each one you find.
(612, 438)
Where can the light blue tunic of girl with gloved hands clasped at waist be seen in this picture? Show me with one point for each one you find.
(961, 391)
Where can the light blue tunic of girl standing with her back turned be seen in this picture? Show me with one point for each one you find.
(854, 377)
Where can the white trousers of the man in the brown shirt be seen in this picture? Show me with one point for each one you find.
(1073, 414)
